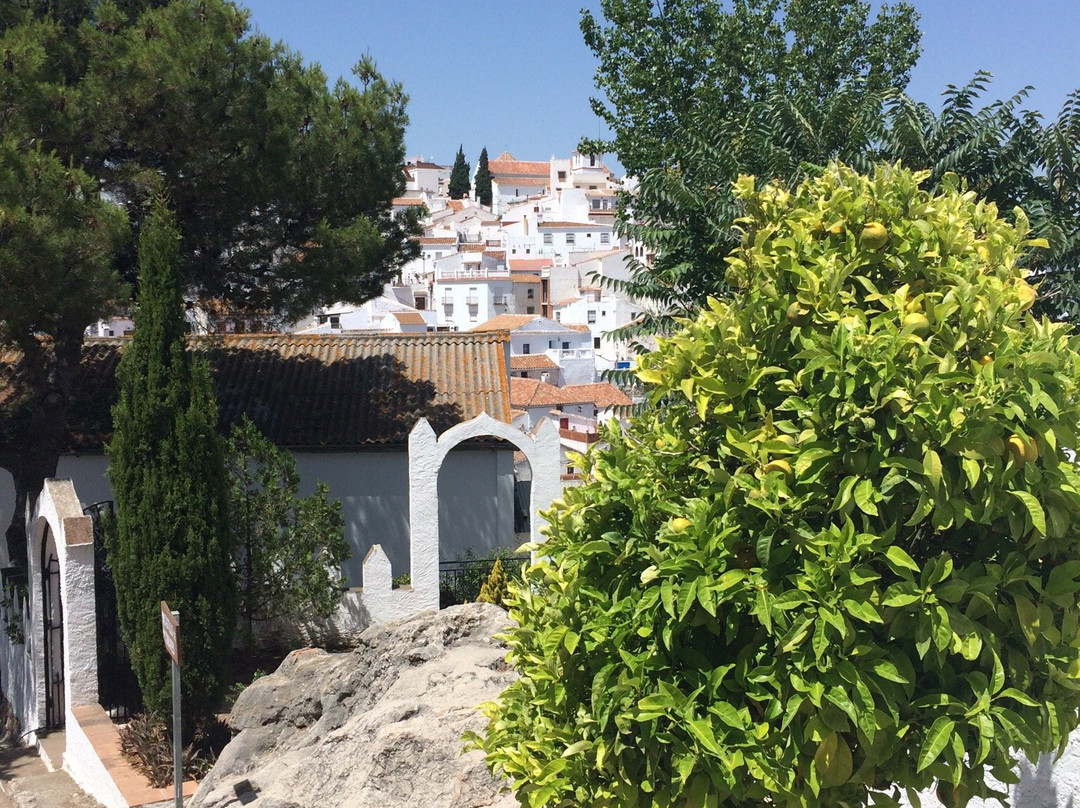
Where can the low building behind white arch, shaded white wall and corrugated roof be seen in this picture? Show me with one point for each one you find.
(344, 406)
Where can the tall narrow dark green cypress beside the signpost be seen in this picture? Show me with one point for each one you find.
(171, 538)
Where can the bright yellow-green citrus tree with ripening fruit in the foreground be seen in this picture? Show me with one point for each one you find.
(838, 559)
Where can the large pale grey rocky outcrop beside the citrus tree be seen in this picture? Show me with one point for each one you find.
(376, 728)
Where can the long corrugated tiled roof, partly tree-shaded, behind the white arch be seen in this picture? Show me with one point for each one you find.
(315, 393)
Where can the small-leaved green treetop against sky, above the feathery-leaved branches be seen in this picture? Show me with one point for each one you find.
(659, 62)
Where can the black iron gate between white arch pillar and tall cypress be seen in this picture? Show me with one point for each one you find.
(117, 689)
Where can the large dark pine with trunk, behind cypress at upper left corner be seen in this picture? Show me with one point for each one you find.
(281, 185)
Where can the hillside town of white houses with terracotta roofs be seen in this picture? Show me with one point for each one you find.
(533, 266)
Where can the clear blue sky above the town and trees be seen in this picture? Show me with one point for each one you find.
(518, 76)
